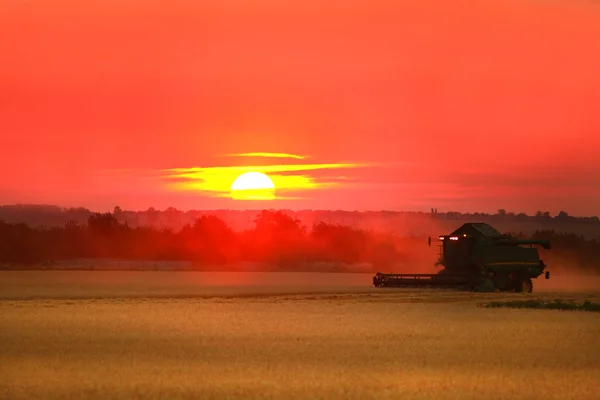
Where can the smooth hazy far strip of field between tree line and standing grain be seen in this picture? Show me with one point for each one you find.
(73, 285)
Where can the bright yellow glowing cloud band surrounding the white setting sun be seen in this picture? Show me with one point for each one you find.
(289, 179)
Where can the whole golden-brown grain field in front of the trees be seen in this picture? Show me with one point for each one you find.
(179, 335)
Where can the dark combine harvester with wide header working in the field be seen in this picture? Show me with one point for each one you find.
(478, 257)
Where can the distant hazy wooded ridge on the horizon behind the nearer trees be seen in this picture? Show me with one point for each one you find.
(40, 215)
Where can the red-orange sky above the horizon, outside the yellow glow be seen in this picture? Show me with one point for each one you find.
(467, 106)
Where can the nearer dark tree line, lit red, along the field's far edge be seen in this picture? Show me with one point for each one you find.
(275, 238)
